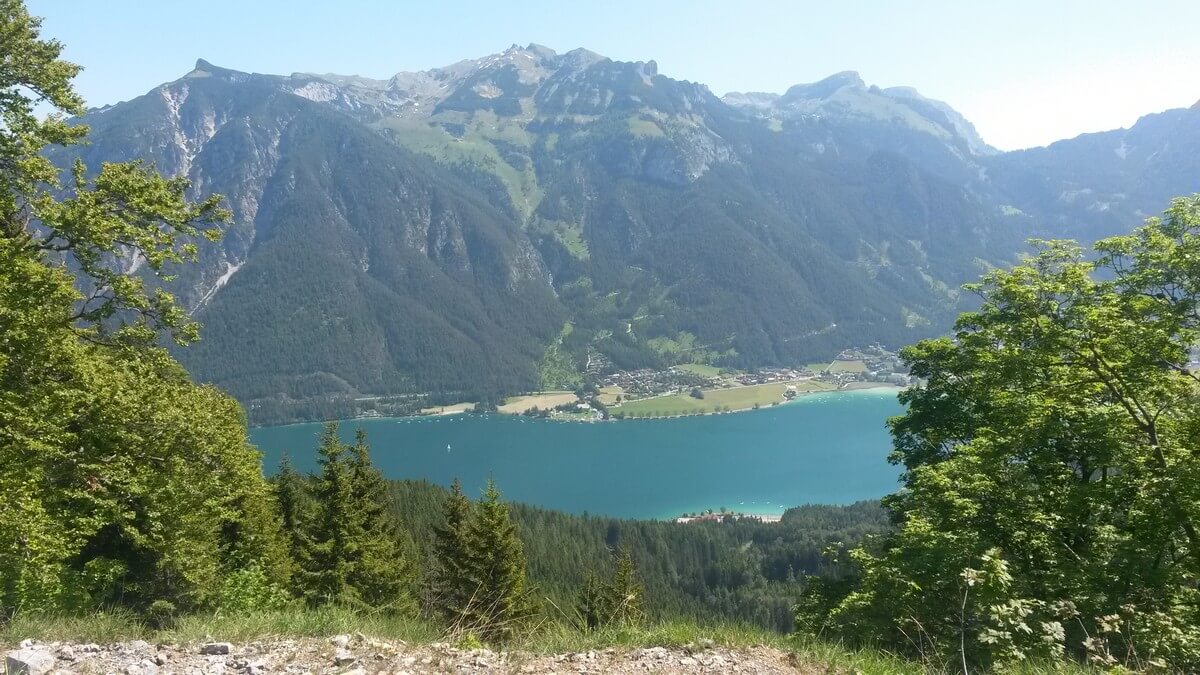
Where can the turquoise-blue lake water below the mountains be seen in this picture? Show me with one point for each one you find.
(824, 449)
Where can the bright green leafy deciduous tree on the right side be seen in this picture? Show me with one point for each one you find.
(1052, 469)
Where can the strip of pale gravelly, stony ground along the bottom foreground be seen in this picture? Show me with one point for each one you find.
(362, 655)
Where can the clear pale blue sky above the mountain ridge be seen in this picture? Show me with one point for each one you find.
(1027, 73)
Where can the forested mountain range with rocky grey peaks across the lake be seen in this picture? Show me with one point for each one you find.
(508, 223)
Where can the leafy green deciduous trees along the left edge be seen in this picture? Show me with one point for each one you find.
(122, 480)
